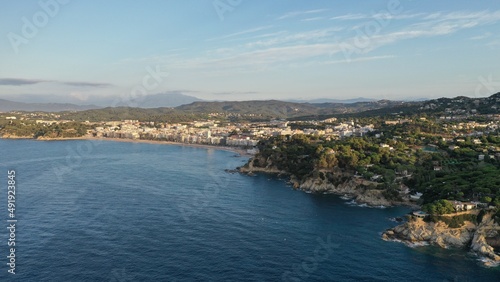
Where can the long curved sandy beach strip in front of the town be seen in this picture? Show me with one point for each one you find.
(242, 152)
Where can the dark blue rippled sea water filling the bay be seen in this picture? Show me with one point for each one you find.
(117, 211)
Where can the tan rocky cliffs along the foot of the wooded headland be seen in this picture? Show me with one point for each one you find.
(482, 238)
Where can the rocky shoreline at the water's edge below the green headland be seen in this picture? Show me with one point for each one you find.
(412, 233)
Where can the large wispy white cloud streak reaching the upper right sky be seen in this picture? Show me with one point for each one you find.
(284, 48)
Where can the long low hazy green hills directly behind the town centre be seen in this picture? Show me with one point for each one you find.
(246, 110)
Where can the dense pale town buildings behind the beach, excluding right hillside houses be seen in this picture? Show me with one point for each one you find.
(207, 132)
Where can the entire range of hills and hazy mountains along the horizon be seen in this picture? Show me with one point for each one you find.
(170, 104)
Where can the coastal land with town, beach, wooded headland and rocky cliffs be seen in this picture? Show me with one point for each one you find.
(444, 164)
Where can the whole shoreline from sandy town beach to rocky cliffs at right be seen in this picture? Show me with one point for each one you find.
(409, 233)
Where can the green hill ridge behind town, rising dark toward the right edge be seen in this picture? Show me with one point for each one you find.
(265, 110)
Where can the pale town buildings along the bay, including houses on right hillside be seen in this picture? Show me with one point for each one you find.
(455, 130)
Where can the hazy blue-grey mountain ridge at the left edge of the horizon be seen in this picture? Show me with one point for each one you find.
(7, 106)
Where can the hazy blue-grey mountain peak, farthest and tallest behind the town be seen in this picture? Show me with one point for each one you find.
(169, 100)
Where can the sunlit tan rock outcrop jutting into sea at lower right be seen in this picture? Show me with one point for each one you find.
(416, 231)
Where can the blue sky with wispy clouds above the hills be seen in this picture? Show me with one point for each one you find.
(247, 50)
